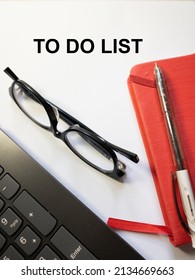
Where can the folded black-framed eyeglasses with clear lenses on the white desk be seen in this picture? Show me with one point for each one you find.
(85, 143)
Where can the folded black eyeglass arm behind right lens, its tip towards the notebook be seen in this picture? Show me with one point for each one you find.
(71, 121)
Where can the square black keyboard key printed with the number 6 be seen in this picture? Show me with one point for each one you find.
(28, 241)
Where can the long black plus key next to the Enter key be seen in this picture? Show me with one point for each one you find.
(35, 213)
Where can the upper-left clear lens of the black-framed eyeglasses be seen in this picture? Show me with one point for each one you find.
(30, 105)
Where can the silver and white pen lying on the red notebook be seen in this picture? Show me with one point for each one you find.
(182, 175)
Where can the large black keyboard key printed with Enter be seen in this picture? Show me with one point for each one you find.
(69, 246)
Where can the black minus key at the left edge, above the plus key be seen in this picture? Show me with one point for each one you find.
(8, 186)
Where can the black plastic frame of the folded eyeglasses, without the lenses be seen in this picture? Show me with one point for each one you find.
(75, 125)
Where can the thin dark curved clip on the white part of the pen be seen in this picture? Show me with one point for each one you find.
(182, 221)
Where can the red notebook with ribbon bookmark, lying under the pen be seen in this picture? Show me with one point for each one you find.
(179, 74)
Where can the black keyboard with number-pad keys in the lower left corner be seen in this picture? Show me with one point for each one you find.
(40, 219)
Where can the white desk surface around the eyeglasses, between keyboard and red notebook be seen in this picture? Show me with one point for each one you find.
(93, 88)
